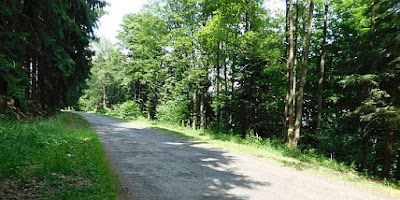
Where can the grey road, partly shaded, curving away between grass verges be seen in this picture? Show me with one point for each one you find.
(154, 165)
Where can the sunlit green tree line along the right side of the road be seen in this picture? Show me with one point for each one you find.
(325, 76)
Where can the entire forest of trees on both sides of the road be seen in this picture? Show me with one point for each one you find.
(322, 76)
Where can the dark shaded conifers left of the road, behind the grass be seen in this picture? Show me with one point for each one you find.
(44, 55)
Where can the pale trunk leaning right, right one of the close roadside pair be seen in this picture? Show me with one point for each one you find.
(299, 108)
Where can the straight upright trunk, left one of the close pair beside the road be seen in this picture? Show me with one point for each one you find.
(290, 66)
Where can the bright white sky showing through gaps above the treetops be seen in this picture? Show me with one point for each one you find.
(110, 23)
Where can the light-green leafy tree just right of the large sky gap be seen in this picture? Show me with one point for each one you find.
(143, 36)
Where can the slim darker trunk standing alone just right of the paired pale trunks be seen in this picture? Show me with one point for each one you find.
(322, 71)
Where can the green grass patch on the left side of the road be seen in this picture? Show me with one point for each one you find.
(54, 158)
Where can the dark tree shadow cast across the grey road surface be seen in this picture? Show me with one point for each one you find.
(156, 165)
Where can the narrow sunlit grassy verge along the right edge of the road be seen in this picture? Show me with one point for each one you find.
(276, 151)
